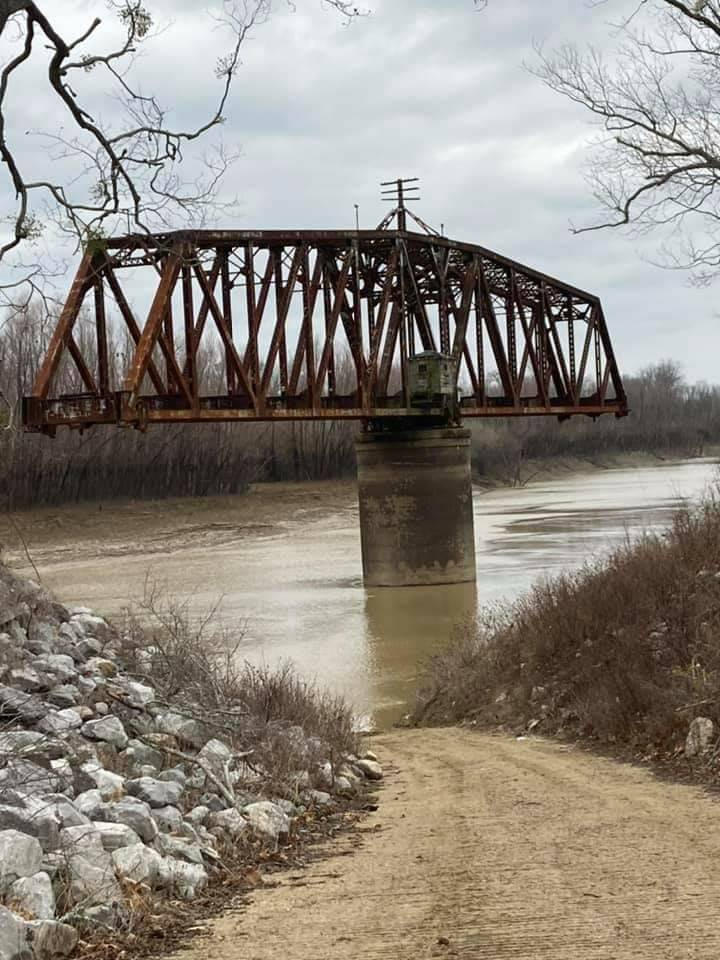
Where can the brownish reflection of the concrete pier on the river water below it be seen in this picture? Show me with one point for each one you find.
(403, 627)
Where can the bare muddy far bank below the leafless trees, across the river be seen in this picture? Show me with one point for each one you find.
(51, 534)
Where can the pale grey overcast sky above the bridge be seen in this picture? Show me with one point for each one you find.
(427, 88)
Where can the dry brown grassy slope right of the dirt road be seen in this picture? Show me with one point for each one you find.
(627, 650)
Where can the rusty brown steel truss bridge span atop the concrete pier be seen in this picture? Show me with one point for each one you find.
(312, 325)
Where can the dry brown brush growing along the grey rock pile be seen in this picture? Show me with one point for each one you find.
(284, 724)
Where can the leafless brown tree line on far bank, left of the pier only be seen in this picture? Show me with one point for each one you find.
(107, 463)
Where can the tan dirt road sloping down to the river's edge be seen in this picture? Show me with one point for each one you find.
(520, 849)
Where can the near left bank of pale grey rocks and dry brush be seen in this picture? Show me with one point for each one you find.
(143, 766)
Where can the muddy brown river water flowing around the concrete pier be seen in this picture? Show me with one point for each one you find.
(283, 563)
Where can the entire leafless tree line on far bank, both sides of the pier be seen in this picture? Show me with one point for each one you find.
(669, 417)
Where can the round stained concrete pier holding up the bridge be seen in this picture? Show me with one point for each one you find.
(416, 515)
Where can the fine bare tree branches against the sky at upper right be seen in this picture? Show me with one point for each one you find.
(656, 162)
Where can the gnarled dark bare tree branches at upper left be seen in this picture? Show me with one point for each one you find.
(128, 165)
